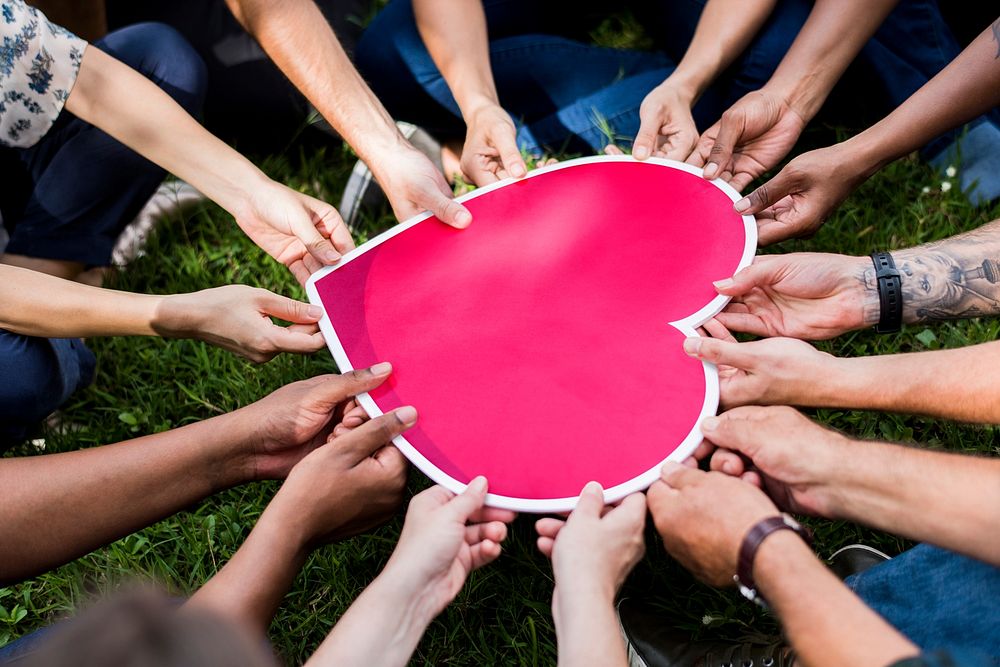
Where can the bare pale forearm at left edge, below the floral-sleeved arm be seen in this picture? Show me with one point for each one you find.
(36, 304)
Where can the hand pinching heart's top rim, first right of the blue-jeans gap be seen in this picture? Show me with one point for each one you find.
(667, 128)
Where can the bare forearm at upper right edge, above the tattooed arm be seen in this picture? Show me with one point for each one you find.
(966, 88)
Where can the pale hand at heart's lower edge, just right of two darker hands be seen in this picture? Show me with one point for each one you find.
(444, 538)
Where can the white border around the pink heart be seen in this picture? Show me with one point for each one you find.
(686, 325)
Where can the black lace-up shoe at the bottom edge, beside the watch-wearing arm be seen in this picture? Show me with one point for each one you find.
(652, 643)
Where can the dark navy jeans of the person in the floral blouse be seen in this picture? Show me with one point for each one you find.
(69, 196)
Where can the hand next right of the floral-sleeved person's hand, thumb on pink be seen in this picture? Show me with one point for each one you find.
(414, 185)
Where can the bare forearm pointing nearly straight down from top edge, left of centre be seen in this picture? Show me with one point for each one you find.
(455, 34)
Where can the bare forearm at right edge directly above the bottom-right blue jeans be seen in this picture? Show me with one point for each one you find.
(950, 500)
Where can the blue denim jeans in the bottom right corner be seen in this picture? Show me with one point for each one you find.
(938, 599)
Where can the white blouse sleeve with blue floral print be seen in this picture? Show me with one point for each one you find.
(39, 62)
